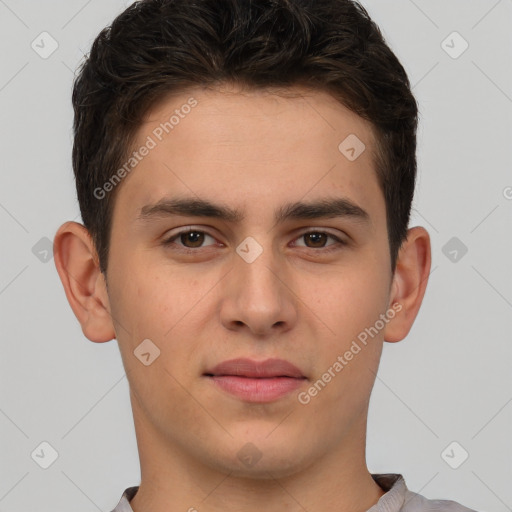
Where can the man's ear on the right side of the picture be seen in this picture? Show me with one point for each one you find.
(409, 283)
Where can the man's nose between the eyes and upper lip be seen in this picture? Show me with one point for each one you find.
(258, 295)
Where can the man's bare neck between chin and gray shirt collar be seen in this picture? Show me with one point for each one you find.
(172, 480)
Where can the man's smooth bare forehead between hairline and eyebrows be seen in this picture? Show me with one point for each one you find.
(269, 146)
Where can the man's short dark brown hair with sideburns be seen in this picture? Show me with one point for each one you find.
(156, 47)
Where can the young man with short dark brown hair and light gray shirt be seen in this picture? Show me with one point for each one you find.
(245, 172)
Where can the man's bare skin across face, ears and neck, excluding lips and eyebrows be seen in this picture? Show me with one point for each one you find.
(254, 151)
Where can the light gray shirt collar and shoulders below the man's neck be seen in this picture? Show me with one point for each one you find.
(397, 498)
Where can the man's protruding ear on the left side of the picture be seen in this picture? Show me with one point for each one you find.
(77, 263)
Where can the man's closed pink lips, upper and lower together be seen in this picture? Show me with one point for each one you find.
(256, 381)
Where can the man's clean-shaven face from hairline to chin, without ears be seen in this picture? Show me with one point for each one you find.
(245, 232)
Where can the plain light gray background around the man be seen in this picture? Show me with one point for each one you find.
(450, 380)
